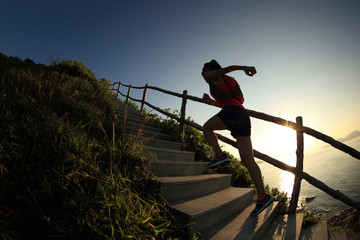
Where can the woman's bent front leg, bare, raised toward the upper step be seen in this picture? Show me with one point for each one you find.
(214, 123)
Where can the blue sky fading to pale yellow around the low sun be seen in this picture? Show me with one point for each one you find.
(307, 53)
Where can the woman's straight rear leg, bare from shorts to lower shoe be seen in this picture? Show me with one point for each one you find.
(247, 158)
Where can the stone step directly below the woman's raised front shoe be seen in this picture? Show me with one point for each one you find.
(184, 188)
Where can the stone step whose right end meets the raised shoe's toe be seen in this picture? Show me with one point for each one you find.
(162, 168)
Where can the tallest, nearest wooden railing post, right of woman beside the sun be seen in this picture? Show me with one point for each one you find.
(299, 166)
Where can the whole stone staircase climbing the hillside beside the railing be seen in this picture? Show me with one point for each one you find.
(216, 209)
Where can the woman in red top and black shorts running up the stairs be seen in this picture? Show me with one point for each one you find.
(233, 117)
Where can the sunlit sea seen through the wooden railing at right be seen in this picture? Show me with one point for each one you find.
(333, 167)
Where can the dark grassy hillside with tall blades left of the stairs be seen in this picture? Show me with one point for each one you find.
(66, 171)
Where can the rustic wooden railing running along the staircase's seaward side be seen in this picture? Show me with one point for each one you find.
(297, 126)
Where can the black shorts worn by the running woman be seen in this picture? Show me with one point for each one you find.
(236, 119)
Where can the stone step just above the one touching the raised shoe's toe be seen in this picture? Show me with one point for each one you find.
(172, 155)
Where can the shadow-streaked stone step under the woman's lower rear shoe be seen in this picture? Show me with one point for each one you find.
(243, 226)
